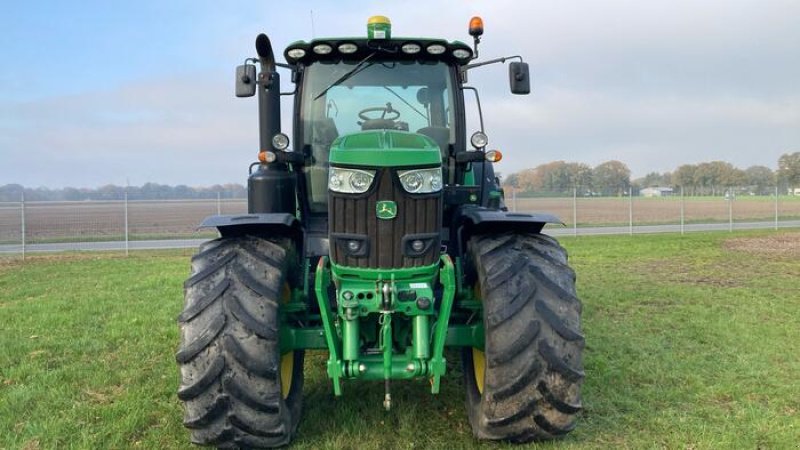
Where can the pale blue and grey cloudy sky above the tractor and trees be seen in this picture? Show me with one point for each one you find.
(99, 92)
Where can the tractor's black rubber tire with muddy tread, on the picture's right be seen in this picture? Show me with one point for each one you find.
(533, 366)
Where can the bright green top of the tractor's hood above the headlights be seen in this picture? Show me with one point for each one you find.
(385, 148)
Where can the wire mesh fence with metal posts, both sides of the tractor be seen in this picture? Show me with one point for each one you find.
(120, 224)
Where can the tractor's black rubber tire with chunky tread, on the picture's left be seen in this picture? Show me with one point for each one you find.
(229, 356)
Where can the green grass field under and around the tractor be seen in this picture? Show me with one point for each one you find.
(692, 342)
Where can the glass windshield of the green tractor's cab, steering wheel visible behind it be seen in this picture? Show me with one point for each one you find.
(351, 96)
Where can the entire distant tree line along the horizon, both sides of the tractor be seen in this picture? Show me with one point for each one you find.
(553, 178)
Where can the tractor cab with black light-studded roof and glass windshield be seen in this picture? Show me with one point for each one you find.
(348, 87)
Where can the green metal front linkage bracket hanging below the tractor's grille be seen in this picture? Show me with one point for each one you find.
(342, 326)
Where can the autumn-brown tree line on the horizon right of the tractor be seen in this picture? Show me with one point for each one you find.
(614, 178)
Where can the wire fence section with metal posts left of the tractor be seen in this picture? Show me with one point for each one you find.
(40, 226)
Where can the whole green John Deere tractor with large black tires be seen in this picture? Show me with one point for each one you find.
(380, 236)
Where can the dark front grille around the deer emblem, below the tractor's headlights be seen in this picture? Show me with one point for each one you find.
(353, 217)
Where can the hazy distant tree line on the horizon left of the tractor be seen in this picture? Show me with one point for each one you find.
(148, 191)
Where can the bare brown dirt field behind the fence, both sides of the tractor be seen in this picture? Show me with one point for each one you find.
(81, 221)
